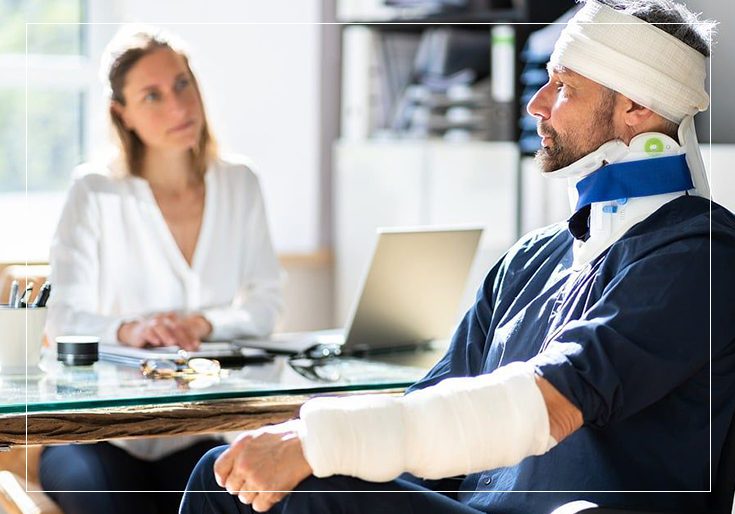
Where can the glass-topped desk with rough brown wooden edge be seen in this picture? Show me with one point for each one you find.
(106, 400)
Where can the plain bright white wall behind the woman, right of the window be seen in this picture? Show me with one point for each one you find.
(259, 64)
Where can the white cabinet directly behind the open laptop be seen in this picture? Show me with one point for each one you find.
(409, 183)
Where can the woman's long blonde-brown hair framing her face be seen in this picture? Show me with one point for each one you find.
(131, 44)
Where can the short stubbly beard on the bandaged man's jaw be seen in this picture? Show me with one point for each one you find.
(579, 141)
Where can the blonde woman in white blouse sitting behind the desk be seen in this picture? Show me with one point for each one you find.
(167, 245)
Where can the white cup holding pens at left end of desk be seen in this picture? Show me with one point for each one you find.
(18, 327)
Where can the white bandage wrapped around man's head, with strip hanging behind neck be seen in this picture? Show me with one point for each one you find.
(643, 63)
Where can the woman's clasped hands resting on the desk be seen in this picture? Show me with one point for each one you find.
(166, 329)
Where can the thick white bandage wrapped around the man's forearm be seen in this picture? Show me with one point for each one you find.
(461, 425)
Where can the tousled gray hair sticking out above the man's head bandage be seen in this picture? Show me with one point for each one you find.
(671, 17)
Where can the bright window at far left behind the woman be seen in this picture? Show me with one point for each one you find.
(54, 73)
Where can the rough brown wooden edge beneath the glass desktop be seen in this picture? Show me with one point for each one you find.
(176, 419)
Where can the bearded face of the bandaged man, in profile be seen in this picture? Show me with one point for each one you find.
(575, 116)
